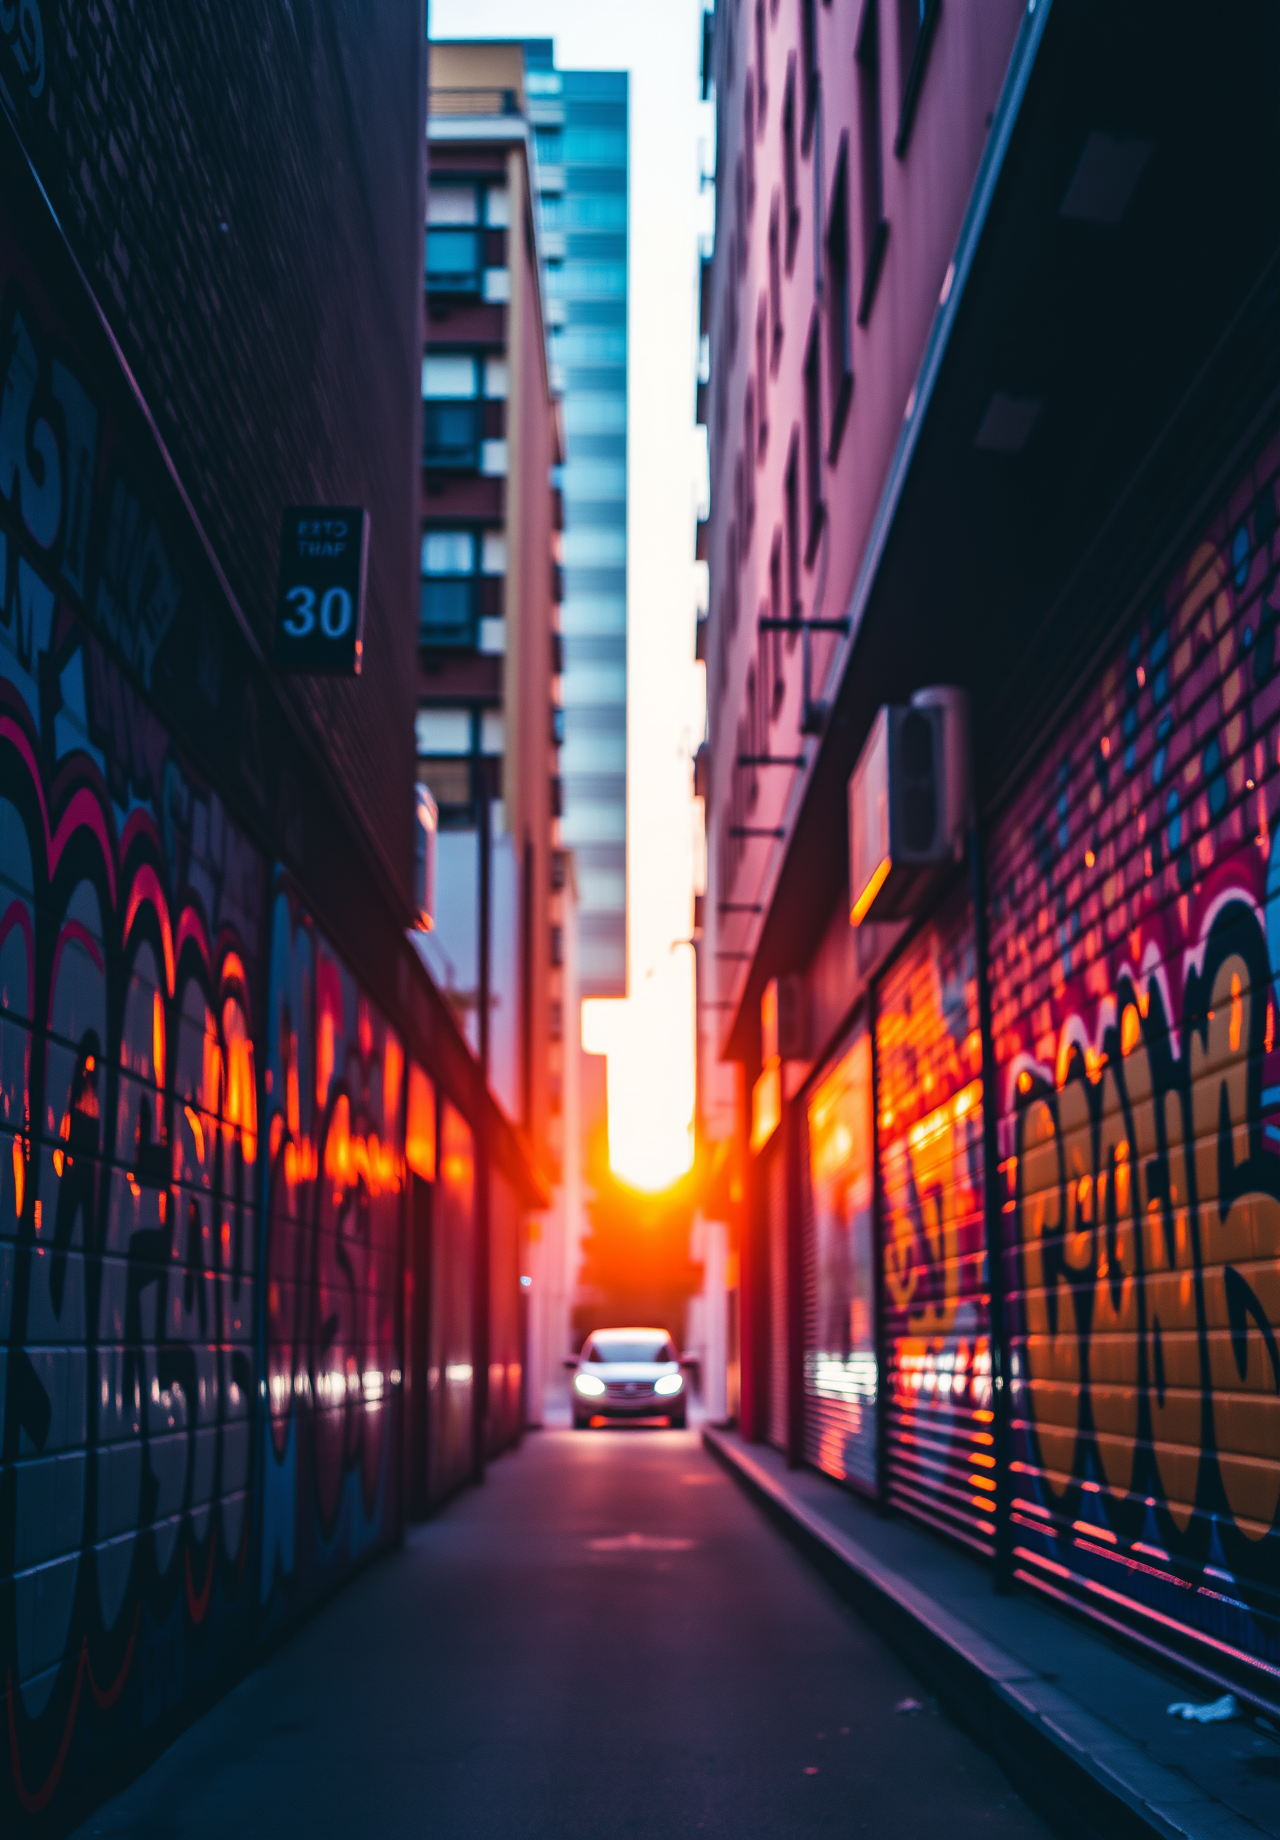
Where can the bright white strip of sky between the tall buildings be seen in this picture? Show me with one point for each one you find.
(648, 1037)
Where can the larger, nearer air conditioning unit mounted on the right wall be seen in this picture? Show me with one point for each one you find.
(909, 803)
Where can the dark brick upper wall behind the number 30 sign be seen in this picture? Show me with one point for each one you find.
(242, 187)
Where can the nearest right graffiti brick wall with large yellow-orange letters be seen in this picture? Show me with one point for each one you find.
(1136, 947)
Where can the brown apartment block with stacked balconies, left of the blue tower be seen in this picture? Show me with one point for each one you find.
(490, 649)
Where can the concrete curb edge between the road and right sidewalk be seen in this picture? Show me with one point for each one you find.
(1077, 1769)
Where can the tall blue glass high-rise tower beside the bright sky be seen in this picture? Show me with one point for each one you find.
(580, 124)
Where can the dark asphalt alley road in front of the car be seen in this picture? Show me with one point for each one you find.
(604, 1642)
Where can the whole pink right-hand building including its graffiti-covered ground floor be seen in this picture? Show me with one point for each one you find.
(989, 461)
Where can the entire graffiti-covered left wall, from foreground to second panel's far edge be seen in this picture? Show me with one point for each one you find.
(200, 1133)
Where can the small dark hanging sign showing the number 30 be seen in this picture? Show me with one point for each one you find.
(321, 603)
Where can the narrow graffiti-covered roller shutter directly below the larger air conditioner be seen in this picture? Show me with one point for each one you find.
(939, 1421)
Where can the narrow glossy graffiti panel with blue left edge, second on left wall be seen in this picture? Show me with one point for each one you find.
(334, 1136)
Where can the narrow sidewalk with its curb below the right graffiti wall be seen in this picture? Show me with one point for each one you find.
(1077, 1721)
